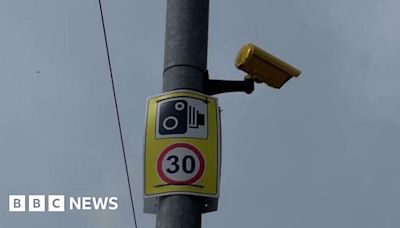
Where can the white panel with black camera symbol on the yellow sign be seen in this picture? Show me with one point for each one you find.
(182, 117)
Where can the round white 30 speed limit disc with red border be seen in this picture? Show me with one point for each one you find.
(180, 164)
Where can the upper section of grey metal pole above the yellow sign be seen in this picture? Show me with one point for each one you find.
(186, 36)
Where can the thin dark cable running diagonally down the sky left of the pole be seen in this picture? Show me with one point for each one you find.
(117, 113)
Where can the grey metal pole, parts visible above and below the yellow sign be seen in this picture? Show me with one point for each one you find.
(185, 67)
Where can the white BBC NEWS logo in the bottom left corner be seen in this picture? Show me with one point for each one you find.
(57, 203)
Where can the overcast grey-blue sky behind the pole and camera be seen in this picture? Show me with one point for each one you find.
(321, 152)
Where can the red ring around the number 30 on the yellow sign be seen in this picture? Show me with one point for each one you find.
(186, 182)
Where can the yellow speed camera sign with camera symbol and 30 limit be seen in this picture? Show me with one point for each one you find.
(182, 145)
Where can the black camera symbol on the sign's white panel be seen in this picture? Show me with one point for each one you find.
(177, 116)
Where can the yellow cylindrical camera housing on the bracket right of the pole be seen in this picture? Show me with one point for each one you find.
(264, 67)
